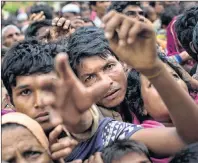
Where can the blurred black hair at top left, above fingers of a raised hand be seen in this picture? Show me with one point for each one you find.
(48, 11)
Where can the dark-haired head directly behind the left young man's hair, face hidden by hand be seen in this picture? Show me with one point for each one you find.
(37, 29)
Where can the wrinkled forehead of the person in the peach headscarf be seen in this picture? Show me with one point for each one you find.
(18, 138)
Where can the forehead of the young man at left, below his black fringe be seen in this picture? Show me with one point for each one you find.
(30, 79)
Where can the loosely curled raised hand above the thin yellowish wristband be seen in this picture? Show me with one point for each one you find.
(133, 41)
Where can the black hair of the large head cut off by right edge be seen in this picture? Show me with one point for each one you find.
(184, 26)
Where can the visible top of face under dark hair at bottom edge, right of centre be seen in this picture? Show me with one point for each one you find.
(133, 157)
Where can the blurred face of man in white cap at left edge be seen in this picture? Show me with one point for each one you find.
(12, 36)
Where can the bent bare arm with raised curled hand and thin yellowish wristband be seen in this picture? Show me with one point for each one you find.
(134, 42)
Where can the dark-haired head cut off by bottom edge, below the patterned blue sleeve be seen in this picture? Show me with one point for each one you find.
(125, 151)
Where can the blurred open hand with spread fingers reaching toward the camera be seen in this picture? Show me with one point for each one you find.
(69, 96)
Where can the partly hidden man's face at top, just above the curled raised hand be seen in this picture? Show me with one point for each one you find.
(134, 12)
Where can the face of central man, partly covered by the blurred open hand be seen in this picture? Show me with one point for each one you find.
(93, 69)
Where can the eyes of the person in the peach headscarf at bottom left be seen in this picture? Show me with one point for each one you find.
(28, 155)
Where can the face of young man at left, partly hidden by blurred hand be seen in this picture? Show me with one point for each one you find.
(28, 98)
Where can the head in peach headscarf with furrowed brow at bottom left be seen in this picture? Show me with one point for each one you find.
(23, 140)
